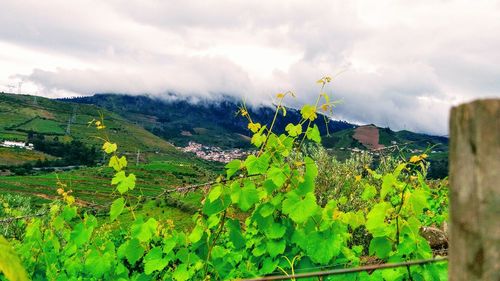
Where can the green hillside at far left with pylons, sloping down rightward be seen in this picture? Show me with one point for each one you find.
(22, 114)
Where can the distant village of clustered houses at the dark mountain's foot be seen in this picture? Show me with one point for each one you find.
(214, 153)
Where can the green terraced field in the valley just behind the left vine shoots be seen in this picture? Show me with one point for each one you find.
(91, 186)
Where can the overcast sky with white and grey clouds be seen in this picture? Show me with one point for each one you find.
(397, 64)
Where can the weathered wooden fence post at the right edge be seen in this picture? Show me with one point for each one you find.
(475, 191)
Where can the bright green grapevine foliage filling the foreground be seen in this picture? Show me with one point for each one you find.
(262, 218)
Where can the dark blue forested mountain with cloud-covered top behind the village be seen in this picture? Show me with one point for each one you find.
(207, 122)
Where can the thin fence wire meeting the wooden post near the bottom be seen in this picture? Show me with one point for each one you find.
(348, 270)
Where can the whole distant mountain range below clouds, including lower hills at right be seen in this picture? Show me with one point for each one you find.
(217, 124)
